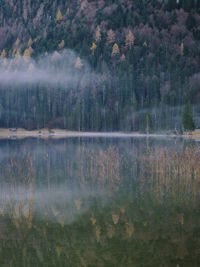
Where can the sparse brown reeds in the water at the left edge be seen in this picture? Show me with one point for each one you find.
(17, 191)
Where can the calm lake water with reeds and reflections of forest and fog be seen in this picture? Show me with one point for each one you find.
(99, 202)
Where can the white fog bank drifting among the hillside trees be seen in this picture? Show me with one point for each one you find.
(60, 70)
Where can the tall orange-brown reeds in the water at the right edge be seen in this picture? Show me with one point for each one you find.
(171, 172)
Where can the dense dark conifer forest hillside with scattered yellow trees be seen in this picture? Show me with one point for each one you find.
(131, 63)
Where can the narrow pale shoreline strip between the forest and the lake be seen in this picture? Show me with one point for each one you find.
(6, 133)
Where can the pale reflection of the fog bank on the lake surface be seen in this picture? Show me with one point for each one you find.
(55, 203)
